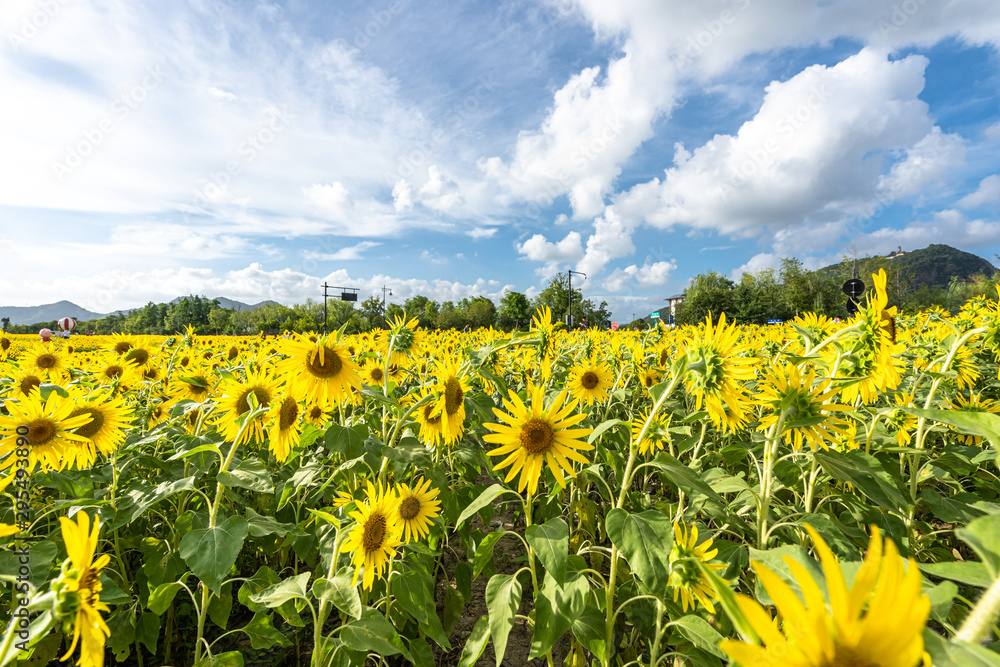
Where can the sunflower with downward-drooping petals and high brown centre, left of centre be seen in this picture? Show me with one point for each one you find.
(320, 371)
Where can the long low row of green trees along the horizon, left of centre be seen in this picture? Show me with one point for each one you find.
(208, 317)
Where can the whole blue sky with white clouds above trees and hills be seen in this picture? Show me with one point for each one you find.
(254, 150)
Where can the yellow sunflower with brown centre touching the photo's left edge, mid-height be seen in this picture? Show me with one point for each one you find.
(48, 429)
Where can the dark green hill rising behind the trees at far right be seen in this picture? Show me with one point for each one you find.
(933, 266)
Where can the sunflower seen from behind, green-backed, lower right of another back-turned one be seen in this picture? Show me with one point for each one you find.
(805, 404)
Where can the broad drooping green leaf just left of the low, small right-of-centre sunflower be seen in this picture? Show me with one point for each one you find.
(645, 539)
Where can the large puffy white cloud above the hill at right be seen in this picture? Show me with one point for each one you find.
(813, 157)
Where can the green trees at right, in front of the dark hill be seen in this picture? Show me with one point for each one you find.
(791, 290)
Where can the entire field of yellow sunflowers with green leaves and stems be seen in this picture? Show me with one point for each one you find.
(812, 493)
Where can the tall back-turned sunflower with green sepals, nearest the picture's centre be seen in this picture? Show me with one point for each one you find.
(718, 365)
